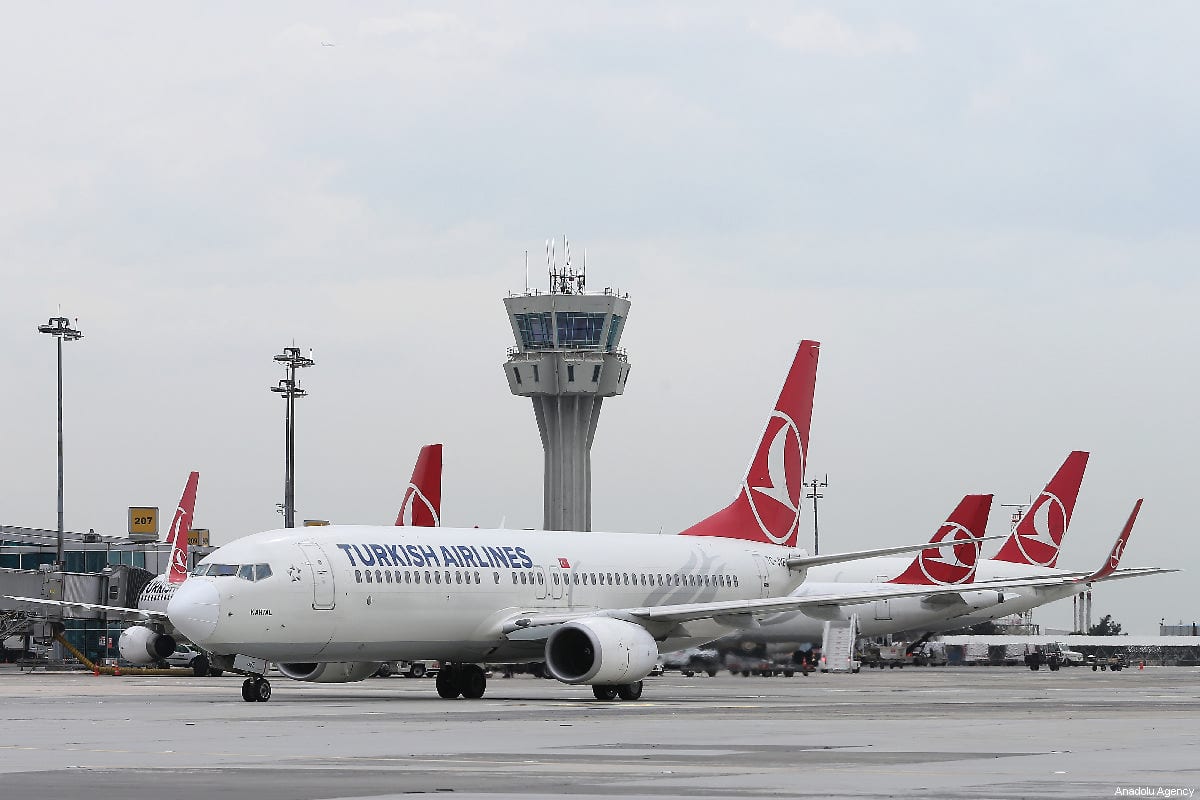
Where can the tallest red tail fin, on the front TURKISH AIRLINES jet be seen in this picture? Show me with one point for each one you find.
(767, 508)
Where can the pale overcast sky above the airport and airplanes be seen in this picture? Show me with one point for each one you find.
(987, 214)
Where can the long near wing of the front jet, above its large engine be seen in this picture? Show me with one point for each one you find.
(743, 609)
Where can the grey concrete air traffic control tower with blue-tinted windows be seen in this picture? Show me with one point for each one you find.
(567, 360)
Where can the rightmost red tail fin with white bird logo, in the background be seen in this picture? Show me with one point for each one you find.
(1039, 534)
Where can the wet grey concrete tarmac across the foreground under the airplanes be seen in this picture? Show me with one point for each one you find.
(929, 732)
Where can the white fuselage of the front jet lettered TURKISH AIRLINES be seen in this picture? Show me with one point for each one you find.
(380, 594)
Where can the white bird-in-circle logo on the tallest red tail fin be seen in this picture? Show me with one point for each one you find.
(776, 479)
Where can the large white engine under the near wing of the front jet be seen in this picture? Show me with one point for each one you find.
(601, 651)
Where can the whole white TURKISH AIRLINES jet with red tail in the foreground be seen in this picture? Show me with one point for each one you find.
(328, 605)
